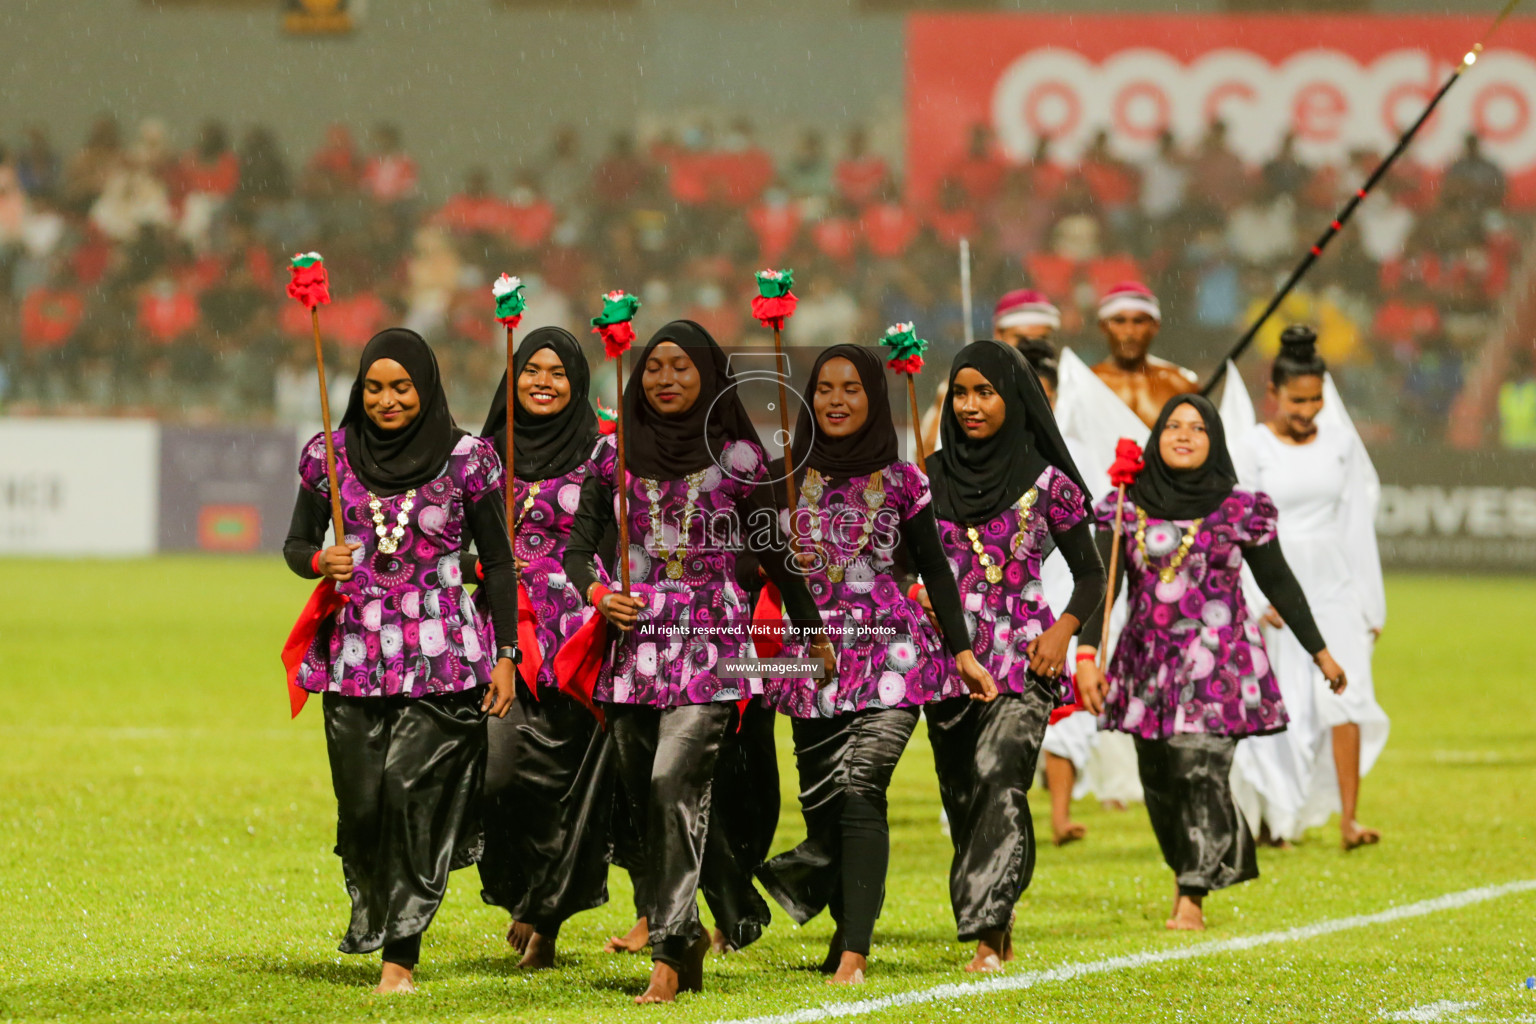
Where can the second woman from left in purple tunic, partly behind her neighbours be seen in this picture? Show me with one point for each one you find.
(549, 781)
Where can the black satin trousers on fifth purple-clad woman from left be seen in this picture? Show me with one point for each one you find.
(985, 756)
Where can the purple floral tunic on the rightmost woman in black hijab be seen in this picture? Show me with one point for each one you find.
(1190, 658)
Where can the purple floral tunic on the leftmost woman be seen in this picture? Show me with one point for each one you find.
(409, 627)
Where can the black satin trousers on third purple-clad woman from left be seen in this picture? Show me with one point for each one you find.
(667, 764)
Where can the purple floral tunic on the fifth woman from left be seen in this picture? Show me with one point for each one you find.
(1005, 616)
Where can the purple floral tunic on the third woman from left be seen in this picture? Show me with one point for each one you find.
(695, 615)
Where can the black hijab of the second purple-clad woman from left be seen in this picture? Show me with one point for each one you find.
(546, 446)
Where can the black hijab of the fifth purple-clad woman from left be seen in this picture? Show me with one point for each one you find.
(973, 481)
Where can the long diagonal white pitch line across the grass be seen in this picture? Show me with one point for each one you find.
(1068, 973)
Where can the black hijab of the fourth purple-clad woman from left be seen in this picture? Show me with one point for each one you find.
(864, 452)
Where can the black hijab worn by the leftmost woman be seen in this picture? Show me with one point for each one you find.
(396, 461)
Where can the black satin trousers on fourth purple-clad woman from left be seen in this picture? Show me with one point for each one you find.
(846, 767)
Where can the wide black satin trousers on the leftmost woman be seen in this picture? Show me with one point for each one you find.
(408, 776)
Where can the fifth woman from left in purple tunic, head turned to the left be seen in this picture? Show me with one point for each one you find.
(1005, 492)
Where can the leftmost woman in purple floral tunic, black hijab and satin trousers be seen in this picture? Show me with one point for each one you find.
(408, 667)
